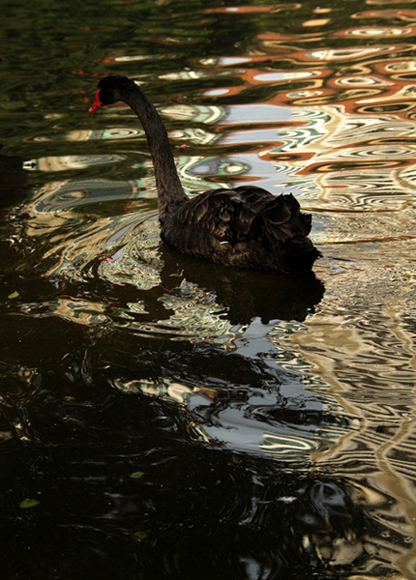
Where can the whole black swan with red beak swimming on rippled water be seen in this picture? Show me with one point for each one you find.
(245, 227)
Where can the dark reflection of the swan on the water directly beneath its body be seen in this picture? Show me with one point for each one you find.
(241, 295)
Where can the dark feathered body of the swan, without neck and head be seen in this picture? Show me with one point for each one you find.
(246, 227)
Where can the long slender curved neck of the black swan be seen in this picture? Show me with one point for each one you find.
(169, 187)
